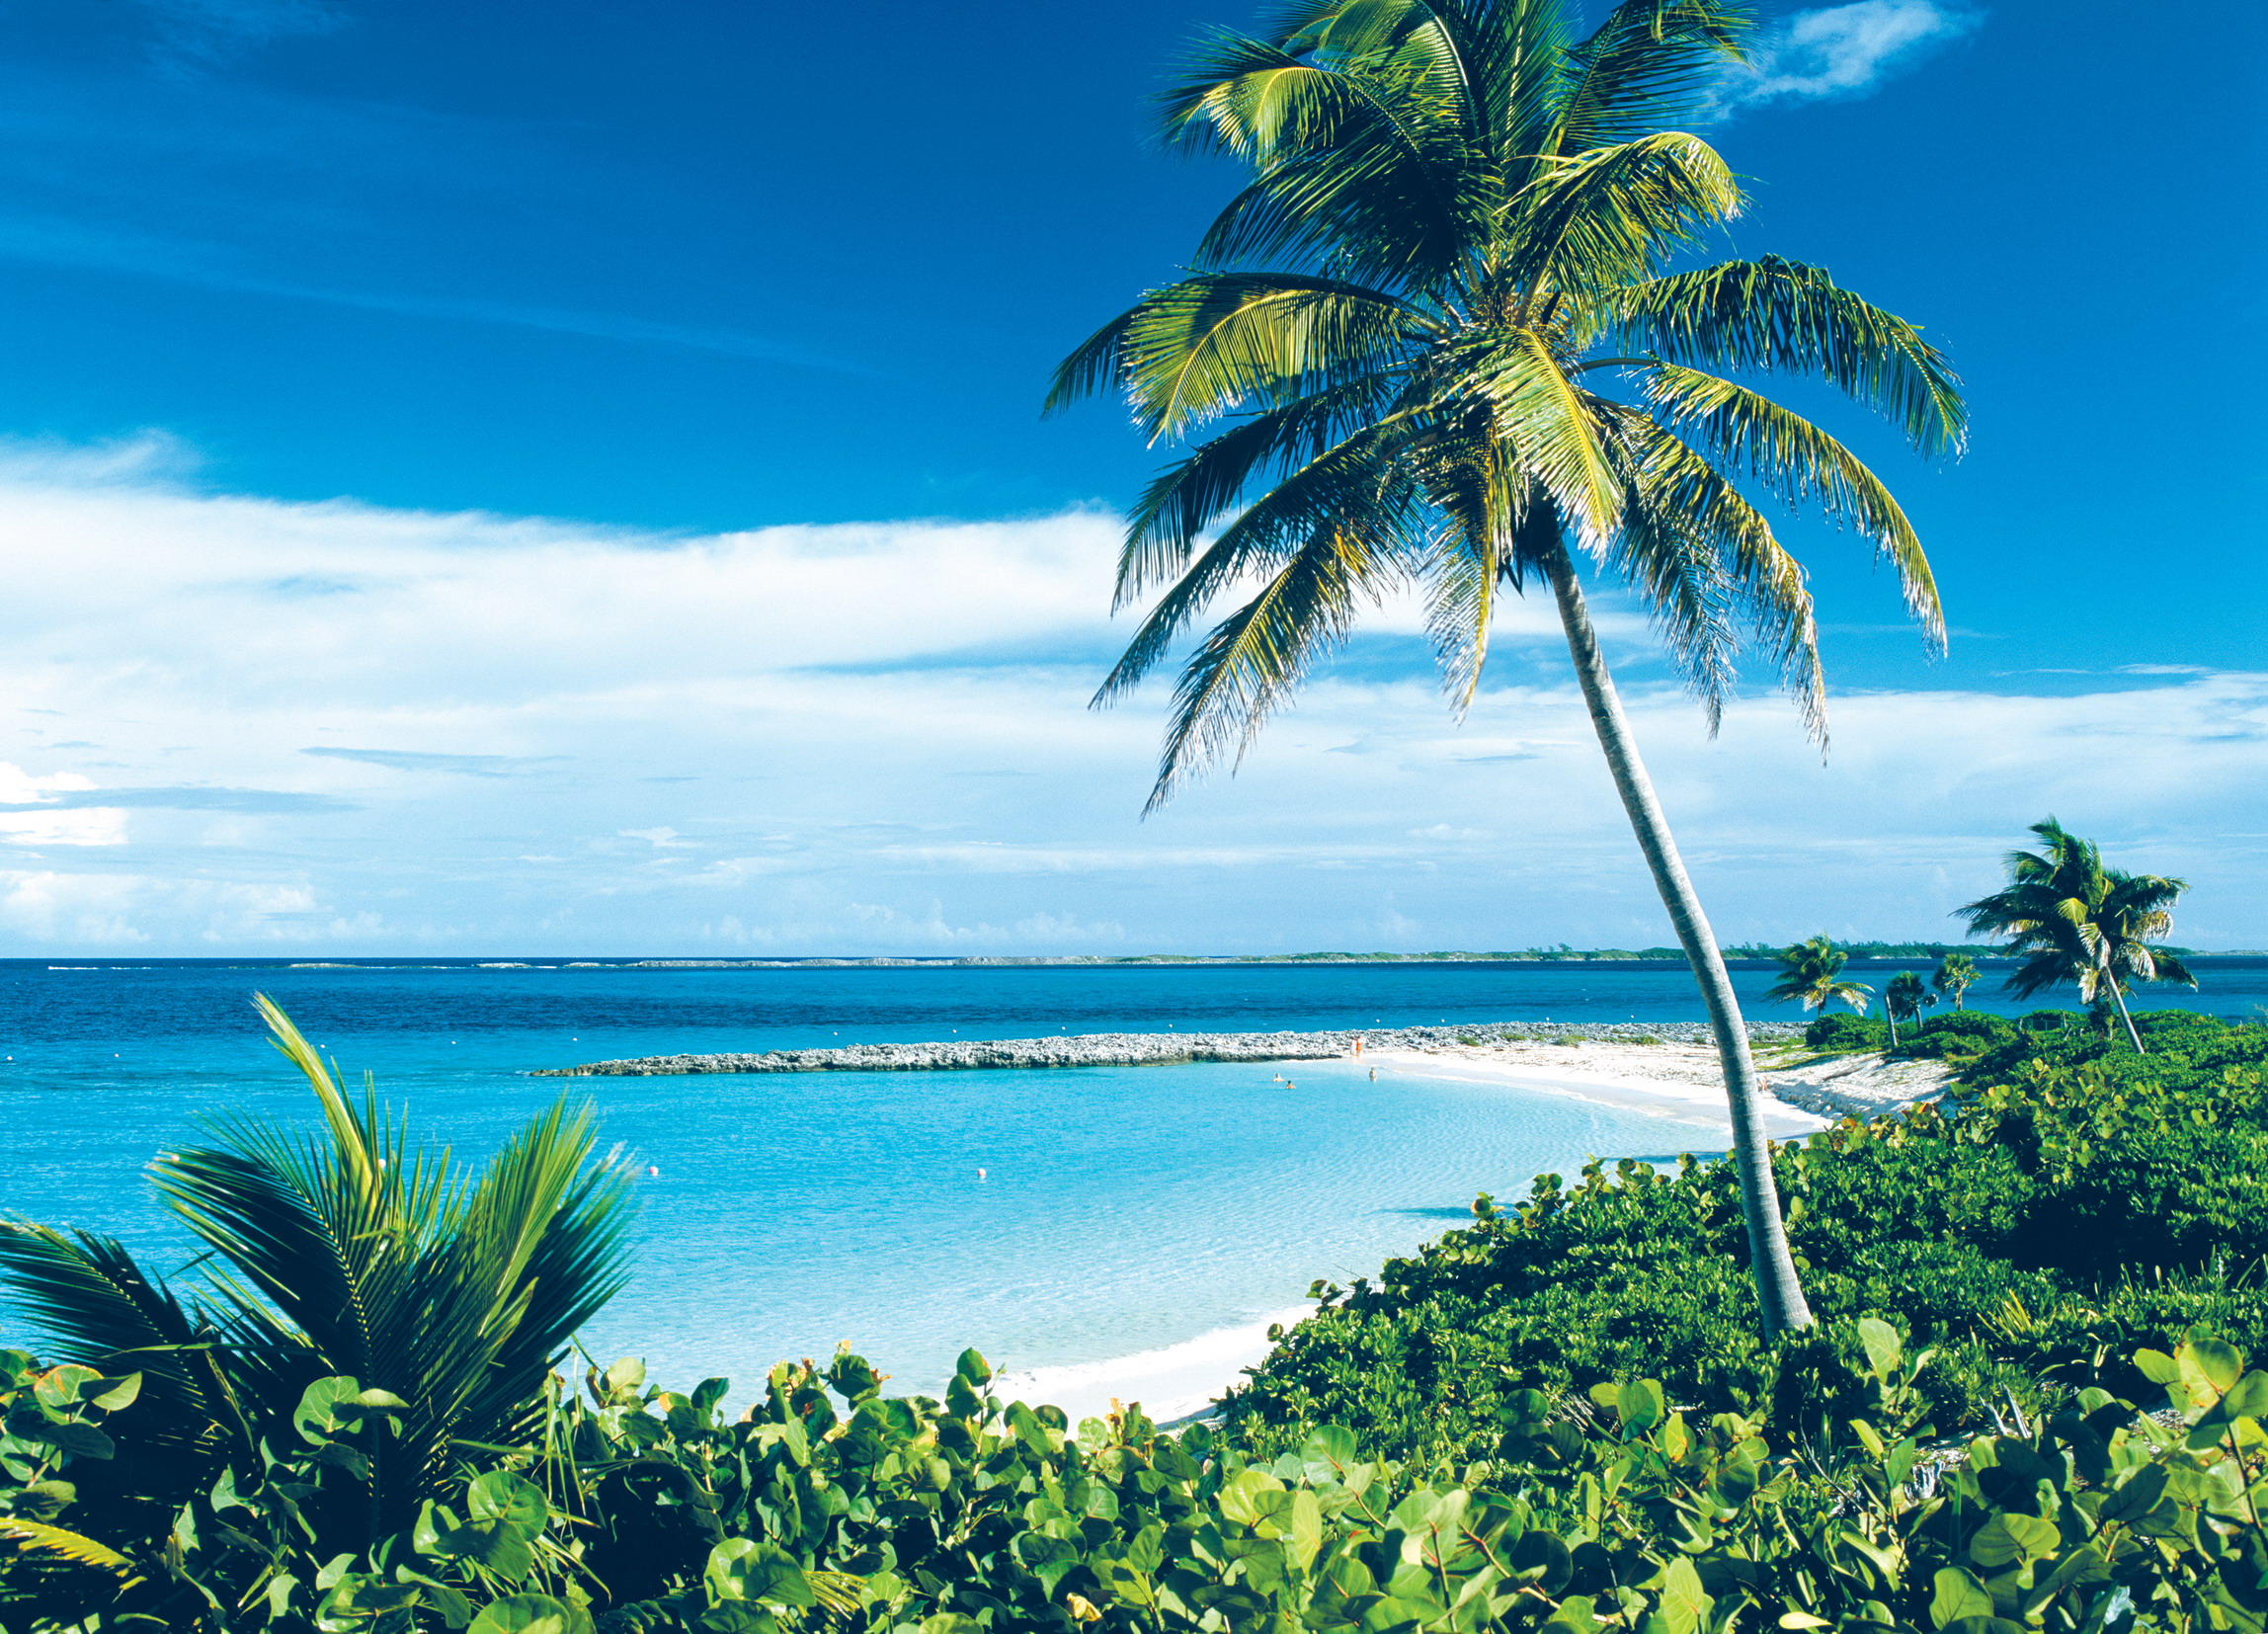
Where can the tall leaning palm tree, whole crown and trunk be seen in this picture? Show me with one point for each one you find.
(1453, 353)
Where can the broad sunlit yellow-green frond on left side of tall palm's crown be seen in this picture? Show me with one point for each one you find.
(1224, 339)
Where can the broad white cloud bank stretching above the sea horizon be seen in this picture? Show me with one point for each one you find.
(355, 730)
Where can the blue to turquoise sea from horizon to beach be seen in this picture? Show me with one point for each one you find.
(1122, 1211)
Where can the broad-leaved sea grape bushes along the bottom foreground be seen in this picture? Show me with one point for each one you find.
(648, 1510)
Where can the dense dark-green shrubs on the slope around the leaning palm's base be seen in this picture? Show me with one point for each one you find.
(2074, 1202)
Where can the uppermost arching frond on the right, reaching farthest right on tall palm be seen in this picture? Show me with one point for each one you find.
(1788, 317)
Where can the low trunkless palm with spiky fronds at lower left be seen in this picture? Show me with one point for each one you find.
(350, 1254)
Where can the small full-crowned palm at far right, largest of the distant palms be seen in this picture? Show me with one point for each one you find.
(2081, 923)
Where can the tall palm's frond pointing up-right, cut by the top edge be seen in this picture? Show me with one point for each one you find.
(1648, 65)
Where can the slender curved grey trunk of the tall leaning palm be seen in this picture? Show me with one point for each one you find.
(1777, 1290)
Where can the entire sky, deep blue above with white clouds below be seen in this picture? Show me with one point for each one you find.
(568, 478)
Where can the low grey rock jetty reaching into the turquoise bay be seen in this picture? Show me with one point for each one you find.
(1146, 1050)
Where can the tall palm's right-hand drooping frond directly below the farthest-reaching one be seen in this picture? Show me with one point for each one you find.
(1802, 464)
